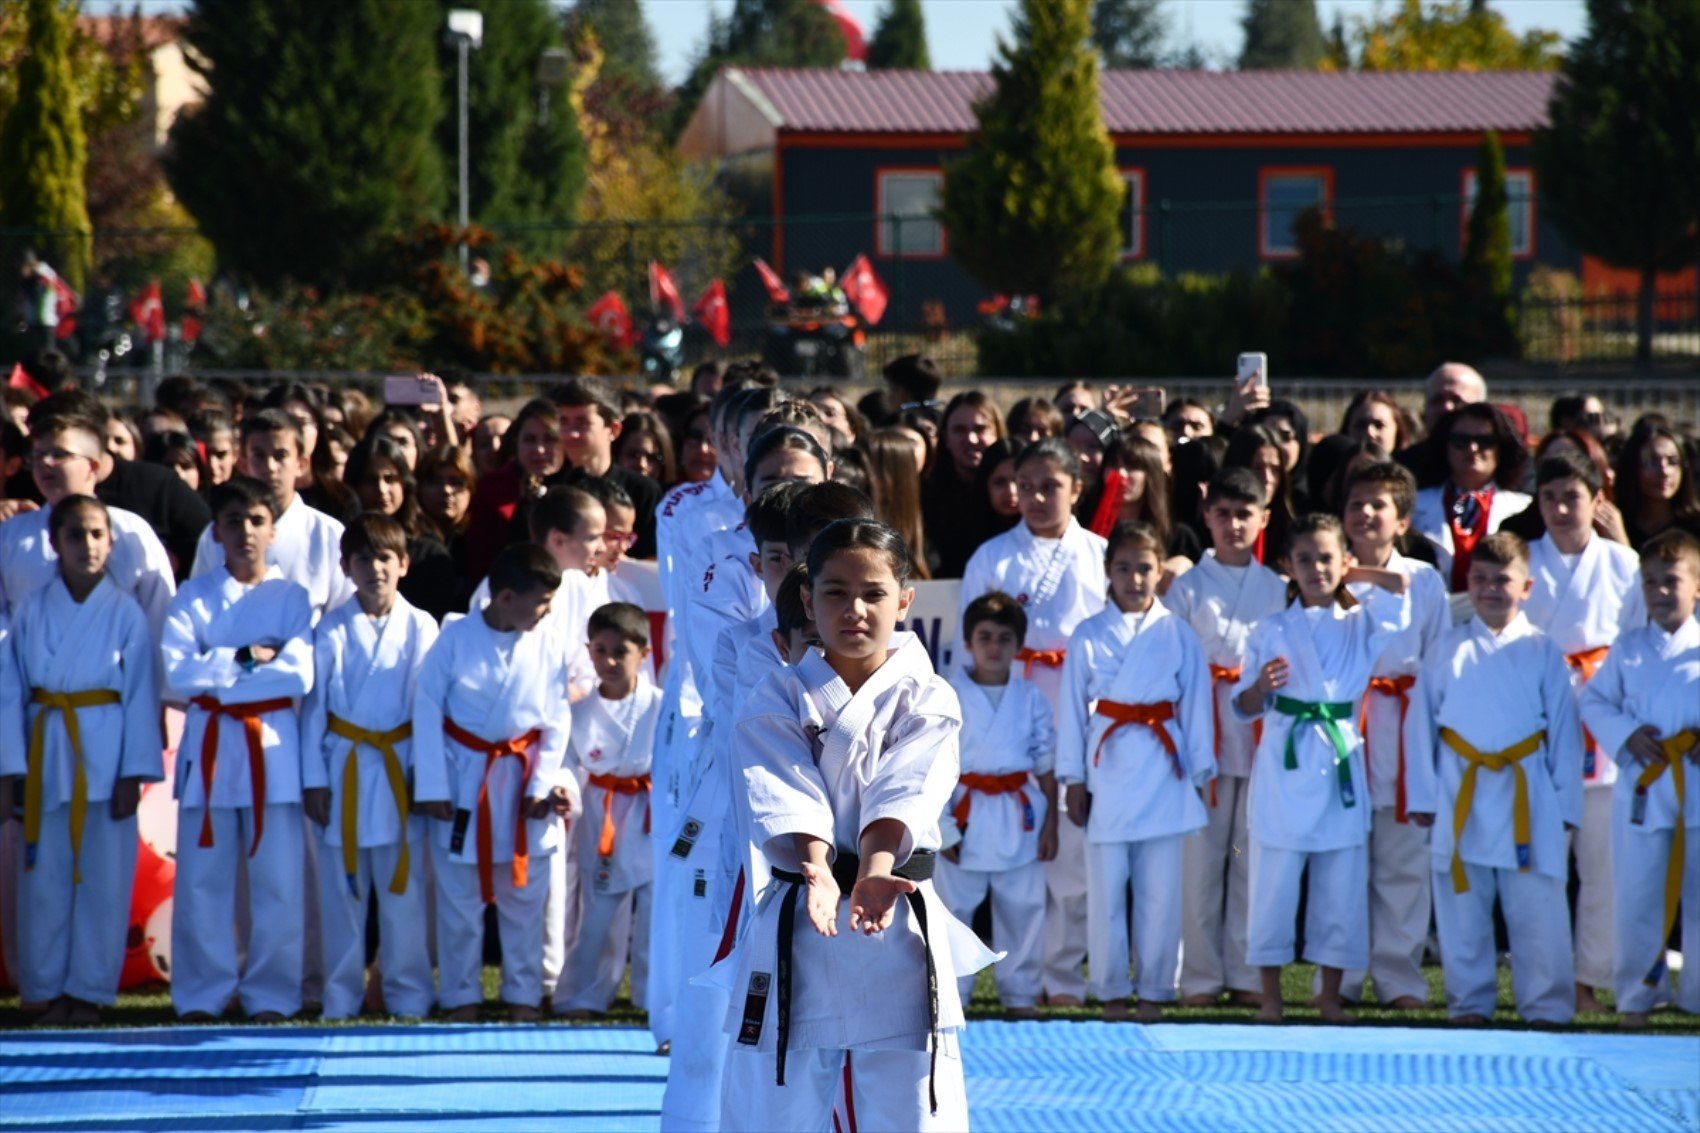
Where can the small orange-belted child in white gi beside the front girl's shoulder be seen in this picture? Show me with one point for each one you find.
(1002, 821)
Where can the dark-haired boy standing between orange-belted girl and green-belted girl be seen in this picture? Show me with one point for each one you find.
(1223, 598)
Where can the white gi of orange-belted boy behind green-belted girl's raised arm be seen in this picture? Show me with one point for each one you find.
(1400, 870)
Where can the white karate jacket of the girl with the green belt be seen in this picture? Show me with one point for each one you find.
(1330, 656)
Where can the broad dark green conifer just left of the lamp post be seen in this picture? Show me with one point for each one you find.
(315, 144)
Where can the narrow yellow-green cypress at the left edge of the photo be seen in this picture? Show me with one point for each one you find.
(42, 174)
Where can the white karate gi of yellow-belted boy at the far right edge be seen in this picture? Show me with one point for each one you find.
(1652, 678)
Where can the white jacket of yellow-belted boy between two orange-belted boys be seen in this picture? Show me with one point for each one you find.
(365, 676)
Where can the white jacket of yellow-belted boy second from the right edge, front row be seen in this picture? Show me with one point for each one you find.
(1495, 692)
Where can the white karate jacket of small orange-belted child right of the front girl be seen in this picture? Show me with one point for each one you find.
(1012, 737)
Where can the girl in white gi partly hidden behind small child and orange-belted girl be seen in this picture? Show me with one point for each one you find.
(1055, 569)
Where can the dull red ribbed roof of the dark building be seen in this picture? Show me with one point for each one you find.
(1170, 103)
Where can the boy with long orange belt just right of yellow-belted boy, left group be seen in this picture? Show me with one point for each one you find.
(490, 726)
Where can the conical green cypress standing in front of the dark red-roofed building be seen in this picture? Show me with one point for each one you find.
(1033, 202)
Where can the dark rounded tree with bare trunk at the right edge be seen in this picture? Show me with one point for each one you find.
(1621, 159)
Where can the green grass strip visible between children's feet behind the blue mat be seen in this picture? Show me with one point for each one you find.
(154, 1008)
